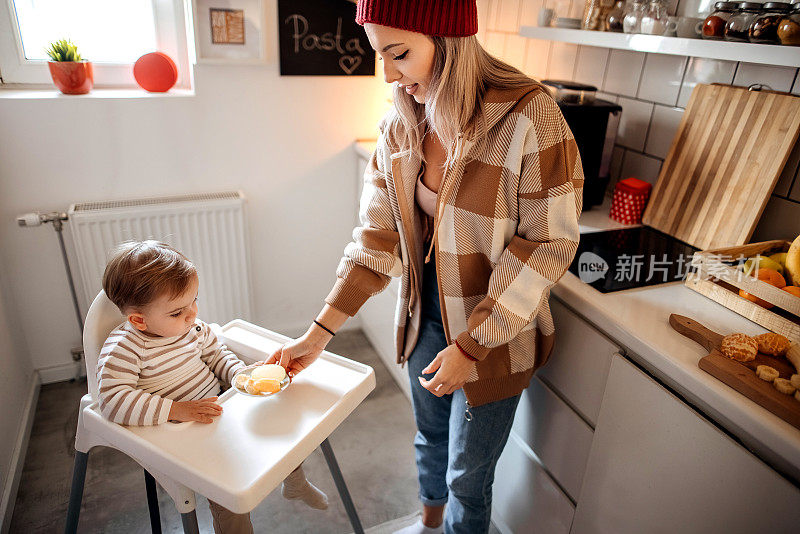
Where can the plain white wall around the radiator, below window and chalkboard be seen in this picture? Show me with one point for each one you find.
(285, 141)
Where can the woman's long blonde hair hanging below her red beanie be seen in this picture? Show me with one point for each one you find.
(462, 73)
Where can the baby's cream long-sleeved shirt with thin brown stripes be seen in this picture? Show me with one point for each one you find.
(139, 376)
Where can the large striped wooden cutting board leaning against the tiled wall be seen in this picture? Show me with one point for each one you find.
(725, 160)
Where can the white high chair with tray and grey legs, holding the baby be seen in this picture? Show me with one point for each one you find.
(254, 444)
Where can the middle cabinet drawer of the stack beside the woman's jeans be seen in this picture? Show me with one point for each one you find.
(556, 434)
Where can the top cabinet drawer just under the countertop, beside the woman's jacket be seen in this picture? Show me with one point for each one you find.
(578, 367)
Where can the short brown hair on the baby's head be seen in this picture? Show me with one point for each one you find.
(140, 271)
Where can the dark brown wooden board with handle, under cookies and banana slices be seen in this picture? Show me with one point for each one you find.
(741, 376)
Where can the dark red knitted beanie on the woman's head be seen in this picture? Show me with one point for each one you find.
(445, 18)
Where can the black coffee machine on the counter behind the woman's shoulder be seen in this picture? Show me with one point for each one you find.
(594, 124)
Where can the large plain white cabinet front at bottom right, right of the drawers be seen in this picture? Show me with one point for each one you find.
(657, 466)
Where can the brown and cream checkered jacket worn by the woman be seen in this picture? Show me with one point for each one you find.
(507, 231)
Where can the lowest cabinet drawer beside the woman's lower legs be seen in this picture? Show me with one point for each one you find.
(525, 499)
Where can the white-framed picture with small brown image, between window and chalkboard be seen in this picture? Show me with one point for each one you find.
(229, 31)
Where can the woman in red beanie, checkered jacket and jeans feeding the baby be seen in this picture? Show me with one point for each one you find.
(472, 196)
